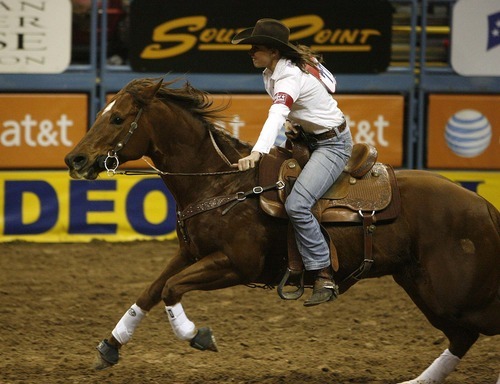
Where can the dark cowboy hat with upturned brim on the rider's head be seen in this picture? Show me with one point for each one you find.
(268, 32)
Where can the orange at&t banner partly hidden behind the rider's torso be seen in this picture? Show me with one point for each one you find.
(373, 119)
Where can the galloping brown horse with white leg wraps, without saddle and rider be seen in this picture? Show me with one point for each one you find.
(443, 249)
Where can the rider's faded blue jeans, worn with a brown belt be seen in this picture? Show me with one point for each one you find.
(328, 160)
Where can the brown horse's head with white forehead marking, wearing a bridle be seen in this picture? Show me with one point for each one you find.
(113, 139)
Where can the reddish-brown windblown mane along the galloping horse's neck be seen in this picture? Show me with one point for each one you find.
(195, 101)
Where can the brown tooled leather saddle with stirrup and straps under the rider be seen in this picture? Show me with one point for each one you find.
(366, 192)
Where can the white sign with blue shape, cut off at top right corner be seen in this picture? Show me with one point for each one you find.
(475, 38)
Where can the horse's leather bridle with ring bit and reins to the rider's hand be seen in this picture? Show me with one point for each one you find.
(112, 156)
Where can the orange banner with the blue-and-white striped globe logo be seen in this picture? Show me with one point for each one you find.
(463, 132)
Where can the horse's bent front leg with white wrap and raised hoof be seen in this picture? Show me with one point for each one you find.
(212, 272)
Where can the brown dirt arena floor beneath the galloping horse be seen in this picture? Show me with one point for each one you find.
(59, 300)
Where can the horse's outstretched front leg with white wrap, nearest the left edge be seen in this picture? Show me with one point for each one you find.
(109, 348)
